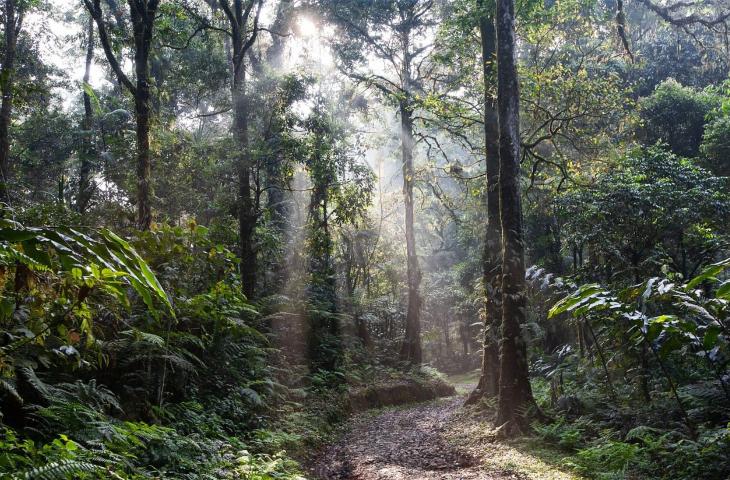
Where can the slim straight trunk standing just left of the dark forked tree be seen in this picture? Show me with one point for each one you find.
(86, 189)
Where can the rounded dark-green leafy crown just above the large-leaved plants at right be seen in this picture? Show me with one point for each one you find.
(652, 209)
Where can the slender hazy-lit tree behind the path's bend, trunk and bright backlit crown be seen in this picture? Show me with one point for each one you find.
(395, 32)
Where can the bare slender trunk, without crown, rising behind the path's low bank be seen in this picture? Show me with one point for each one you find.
(411, 348)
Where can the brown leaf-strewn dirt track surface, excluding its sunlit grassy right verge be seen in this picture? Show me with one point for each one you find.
(399, 444)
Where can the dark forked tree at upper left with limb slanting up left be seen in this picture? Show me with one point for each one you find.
(142, 16)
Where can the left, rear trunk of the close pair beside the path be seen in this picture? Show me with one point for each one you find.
(489, 379)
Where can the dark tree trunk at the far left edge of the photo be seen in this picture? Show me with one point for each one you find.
(12, 25)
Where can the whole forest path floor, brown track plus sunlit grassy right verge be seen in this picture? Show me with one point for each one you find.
(432, 440)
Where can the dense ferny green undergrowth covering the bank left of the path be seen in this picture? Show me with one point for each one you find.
(175, 378)
